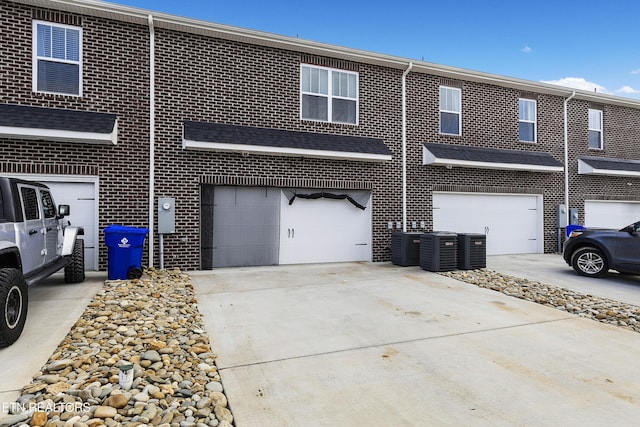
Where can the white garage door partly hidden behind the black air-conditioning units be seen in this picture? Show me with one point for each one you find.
(513, 223)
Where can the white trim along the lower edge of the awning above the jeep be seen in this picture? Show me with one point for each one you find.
(61, 135)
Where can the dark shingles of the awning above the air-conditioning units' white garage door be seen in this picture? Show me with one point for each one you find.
(491, 155)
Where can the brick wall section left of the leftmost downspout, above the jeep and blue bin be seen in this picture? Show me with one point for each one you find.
(115, 80)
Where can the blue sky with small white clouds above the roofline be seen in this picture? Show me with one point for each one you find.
(588, 44)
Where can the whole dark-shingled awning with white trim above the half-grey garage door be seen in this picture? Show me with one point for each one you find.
(255, 140)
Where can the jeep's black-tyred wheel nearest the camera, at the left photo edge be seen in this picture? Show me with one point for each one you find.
(14, 301)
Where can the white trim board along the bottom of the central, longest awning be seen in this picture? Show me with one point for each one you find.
(281, 151)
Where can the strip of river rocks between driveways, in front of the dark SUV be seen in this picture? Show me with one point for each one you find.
(584, 305)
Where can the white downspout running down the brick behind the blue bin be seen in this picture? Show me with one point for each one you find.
(152, 126)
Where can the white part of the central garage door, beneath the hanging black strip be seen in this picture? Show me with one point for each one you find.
(323, 230)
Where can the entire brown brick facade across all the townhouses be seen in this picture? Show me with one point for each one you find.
(208, 79)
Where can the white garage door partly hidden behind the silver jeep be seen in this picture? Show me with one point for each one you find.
(81, 194)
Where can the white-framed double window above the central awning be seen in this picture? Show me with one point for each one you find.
(329, 95)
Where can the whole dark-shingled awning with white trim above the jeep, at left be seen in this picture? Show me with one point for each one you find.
(56, 124)
